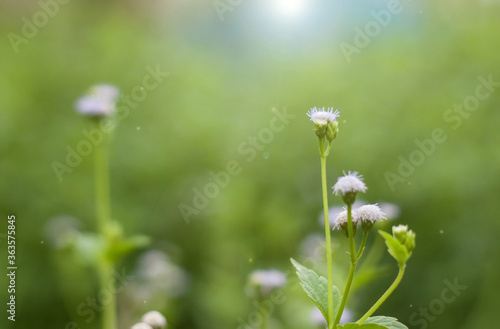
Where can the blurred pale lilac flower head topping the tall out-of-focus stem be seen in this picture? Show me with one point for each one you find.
(99, 102)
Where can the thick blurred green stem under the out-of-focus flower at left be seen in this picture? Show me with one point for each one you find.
(103, 210)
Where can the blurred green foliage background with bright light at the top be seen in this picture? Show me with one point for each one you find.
(229, 72)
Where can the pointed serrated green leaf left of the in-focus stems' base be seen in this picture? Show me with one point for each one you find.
(316, 287)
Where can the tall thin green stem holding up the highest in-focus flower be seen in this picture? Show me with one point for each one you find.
(328, 242)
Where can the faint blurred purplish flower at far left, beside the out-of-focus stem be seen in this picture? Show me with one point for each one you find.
(60, 230)
